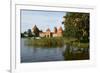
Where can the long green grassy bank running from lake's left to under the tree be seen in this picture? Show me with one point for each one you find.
(56, 42)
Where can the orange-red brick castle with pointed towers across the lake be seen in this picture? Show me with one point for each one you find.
(56, 33)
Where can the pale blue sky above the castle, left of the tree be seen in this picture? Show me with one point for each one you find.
(42, 19)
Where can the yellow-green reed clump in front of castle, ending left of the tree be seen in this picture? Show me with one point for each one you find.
(46, 42)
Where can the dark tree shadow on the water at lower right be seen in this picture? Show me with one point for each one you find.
(74, 53)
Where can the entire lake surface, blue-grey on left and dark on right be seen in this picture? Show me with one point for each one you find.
(30, 53)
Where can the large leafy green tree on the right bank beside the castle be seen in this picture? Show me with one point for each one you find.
(76, 25)
